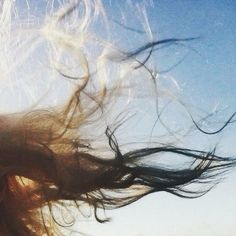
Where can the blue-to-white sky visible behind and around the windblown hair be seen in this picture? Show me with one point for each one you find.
(206, 79)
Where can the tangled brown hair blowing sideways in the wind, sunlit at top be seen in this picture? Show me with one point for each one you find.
(57, 157)
